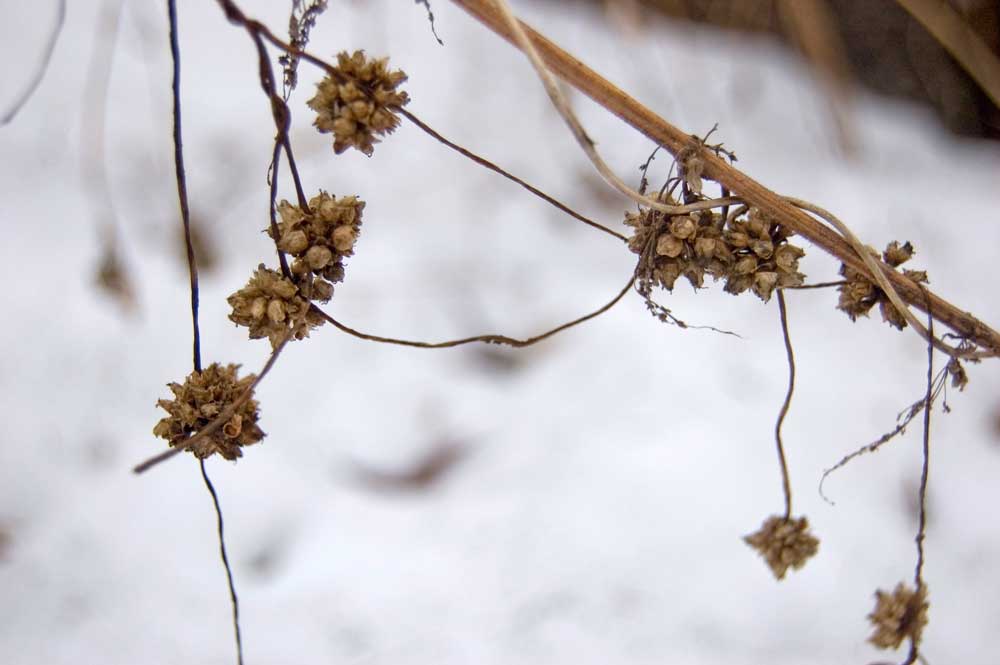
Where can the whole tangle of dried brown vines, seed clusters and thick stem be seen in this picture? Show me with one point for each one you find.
(739, 234)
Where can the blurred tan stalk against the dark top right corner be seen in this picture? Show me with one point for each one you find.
(960, 40)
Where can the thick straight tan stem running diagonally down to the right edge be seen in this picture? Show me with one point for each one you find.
(753, 193)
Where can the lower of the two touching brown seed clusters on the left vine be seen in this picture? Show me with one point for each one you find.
(272, 306)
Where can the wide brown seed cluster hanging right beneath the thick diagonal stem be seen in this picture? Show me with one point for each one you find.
(749, 253)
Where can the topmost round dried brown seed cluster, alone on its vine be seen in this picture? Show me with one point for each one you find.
(357, 102)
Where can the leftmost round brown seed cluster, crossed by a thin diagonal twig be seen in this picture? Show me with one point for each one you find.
(197, 402)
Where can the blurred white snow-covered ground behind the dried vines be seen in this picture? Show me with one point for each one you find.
(609, 472)
